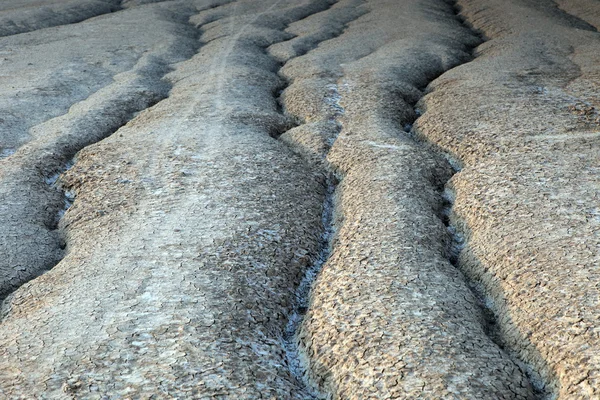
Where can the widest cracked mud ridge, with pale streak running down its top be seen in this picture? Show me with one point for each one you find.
(191, 230)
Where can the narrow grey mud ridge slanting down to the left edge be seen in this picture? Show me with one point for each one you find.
(34, 169)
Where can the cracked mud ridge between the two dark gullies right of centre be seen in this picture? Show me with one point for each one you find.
(388, 286)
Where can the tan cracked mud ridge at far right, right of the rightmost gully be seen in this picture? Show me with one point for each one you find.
(529, 175)
